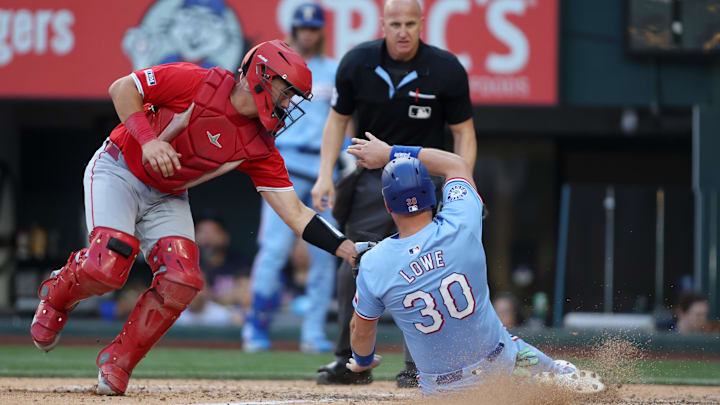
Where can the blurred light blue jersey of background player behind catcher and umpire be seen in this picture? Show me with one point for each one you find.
(300, 144)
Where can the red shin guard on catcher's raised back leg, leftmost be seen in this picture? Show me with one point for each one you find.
(104, 266)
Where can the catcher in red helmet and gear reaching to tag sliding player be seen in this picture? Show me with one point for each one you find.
(181, 125)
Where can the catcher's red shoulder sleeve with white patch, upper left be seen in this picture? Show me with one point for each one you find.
(171, 85)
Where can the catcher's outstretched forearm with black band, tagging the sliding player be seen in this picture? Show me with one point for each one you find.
(306, 223)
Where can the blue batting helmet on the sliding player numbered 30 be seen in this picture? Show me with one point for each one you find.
(407, 186)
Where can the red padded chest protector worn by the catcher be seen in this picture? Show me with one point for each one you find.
(216, 140)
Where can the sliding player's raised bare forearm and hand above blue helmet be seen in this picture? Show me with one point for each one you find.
(374, 154)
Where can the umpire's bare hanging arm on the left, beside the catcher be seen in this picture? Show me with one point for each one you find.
(323, 192)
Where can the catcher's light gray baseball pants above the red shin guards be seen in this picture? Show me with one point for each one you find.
(116, 199)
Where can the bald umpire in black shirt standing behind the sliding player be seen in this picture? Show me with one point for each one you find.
(404, 92)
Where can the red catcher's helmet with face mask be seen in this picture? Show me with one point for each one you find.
(270, 60)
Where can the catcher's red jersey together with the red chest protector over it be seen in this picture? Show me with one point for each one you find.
(218, 139)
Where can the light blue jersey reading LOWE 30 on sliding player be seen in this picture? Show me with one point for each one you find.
(434, 284)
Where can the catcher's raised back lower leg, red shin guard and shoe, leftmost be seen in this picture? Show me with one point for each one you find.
(102, 267)
